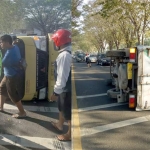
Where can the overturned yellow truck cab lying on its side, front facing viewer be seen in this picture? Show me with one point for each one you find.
(39, 53)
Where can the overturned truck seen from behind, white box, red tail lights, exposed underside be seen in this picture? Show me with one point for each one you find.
(132, 77)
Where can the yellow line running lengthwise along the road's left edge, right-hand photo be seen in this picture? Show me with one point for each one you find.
(76, 135)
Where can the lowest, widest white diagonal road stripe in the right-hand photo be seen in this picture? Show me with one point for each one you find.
(98, 129)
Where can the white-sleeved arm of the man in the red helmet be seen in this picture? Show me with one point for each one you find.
(63, 70)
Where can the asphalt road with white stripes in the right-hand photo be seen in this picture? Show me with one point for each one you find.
(105, 125)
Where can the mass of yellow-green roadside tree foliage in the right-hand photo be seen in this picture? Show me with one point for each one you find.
(119, 23)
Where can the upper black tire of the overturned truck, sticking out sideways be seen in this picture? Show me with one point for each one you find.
(117, 53)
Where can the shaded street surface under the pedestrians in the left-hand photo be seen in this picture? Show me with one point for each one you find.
(34, 132)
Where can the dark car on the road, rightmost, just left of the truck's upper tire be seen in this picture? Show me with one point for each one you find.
(102, 60)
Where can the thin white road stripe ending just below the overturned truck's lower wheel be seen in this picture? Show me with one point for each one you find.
(100, 107)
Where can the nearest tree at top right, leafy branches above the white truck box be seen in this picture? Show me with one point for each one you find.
(135, 12)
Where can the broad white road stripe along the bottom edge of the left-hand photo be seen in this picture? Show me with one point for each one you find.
(34, 142)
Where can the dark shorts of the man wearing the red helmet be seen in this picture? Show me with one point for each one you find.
(64, 104)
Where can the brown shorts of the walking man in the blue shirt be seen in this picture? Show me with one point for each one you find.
(13, 87)
